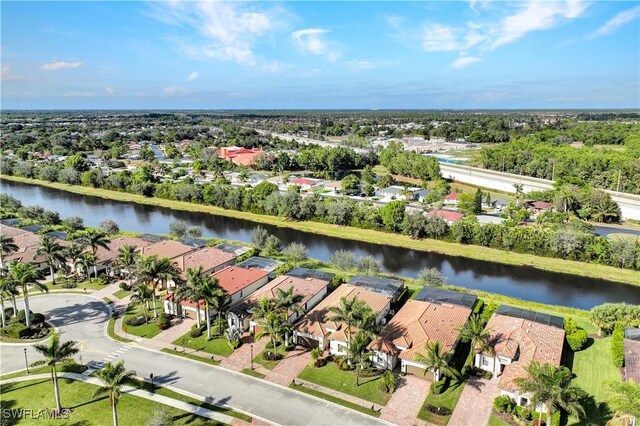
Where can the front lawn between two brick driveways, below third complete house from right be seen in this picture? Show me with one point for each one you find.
(330, 376)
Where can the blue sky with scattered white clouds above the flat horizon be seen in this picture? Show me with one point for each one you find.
(201, 55)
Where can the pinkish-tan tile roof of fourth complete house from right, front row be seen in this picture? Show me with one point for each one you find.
(306, 287)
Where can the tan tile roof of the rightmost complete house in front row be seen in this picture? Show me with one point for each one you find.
(531, 340)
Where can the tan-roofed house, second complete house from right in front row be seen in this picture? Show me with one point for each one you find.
(435, 317)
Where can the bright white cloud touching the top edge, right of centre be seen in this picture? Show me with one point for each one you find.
(535, 16)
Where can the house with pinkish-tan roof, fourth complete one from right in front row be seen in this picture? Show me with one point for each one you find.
(312, 290)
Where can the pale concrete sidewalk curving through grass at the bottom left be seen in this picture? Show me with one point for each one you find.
(184, 406)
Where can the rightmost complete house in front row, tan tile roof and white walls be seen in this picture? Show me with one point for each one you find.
(519, 337)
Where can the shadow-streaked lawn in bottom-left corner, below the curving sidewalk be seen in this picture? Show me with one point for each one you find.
(77, 396)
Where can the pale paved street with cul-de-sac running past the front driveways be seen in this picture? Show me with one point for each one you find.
(83, 318)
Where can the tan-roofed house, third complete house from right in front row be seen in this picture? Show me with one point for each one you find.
(316, 329)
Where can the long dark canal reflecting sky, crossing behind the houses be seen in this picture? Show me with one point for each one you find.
(516, 281)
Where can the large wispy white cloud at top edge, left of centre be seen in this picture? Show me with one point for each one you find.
(225, 31)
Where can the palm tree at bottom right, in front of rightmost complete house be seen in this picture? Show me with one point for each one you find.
(551, 386)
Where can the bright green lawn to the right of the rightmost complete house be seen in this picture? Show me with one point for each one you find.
(592, 368)
